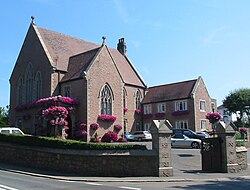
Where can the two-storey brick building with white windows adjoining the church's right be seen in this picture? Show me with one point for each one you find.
(184, 104)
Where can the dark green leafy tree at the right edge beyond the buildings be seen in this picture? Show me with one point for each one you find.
(238, 102)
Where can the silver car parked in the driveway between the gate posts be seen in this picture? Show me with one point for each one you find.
(182, 141)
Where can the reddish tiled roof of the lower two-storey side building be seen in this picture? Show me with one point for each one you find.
(168, 92)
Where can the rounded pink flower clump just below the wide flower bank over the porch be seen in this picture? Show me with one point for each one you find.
(55, 111)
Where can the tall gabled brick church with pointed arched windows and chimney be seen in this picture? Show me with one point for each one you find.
(102, 80)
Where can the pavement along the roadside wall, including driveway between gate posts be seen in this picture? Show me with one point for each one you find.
(186, 168)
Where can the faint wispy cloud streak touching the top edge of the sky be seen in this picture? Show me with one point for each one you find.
(123, 13)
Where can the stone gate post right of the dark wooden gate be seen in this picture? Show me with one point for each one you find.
(228, 147)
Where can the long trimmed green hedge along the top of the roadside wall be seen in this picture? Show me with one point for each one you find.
(65, 144)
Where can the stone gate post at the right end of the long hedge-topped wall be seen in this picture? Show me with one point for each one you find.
(161, 131)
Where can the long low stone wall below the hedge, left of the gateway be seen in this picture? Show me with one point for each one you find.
(83, 162)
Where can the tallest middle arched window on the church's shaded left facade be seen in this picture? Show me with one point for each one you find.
(29, 84)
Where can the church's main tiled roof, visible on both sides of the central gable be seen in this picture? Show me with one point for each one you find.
(61, 47)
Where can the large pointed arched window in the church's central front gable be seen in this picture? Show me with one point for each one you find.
(106, 100)
